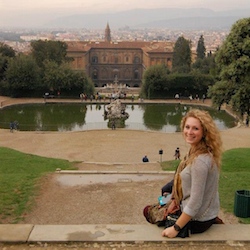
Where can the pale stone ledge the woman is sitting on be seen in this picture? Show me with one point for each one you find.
(227, 234)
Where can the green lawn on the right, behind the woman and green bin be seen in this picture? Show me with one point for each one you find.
(235, 175)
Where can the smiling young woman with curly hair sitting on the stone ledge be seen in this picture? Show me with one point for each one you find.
(196, 180)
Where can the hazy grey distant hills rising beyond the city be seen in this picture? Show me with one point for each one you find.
(173, 18)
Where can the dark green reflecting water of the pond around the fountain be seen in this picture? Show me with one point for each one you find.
(79, 117)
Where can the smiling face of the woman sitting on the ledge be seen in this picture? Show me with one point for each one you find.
(192, 131)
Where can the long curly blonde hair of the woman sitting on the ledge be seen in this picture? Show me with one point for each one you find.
(211, 141)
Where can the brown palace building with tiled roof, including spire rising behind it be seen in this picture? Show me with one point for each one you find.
(110, 61)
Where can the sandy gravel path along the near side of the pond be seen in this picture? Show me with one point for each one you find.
(110, 146)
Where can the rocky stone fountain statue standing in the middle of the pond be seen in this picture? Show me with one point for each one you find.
(115, 113)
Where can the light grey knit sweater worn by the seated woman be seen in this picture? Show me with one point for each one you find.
(200, 189)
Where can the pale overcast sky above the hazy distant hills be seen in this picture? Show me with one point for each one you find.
(42, 9)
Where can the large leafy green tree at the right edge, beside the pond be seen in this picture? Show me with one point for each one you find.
(233, 60)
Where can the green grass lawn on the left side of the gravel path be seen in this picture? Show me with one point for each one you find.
(19, 181)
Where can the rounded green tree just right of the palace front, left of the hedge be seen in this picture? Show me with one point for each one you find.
(154, 80)
